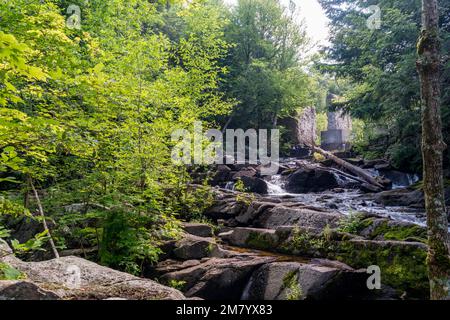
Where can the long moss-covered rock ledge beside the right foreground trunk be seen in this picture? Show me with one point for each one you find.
(403, 264)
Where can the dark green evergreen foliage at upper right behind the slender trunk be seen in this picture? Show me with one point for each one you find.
(378, 68)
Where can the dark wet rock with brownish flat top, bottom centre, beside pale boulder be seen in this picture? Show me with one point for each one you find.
(218, 279)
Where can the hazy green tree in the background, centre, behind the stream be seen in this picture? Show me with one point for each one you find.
(265, 71)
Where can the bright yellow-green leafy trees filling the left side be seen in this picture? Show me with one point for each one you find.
(88, 115)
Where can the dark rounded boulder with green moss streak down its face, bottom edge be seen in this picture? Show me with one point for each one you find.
(296, 281)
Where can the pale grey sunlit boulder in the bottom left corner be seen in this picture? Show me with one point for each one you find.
(77, 278)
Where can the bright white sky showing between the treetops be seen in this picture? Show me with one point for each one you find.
(314, 17)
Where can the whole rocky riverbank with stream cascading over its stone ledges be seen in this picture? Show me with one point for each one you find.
(310, 232)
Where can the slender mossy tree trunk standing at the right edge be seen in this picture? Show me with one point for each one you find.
(428, 65)
